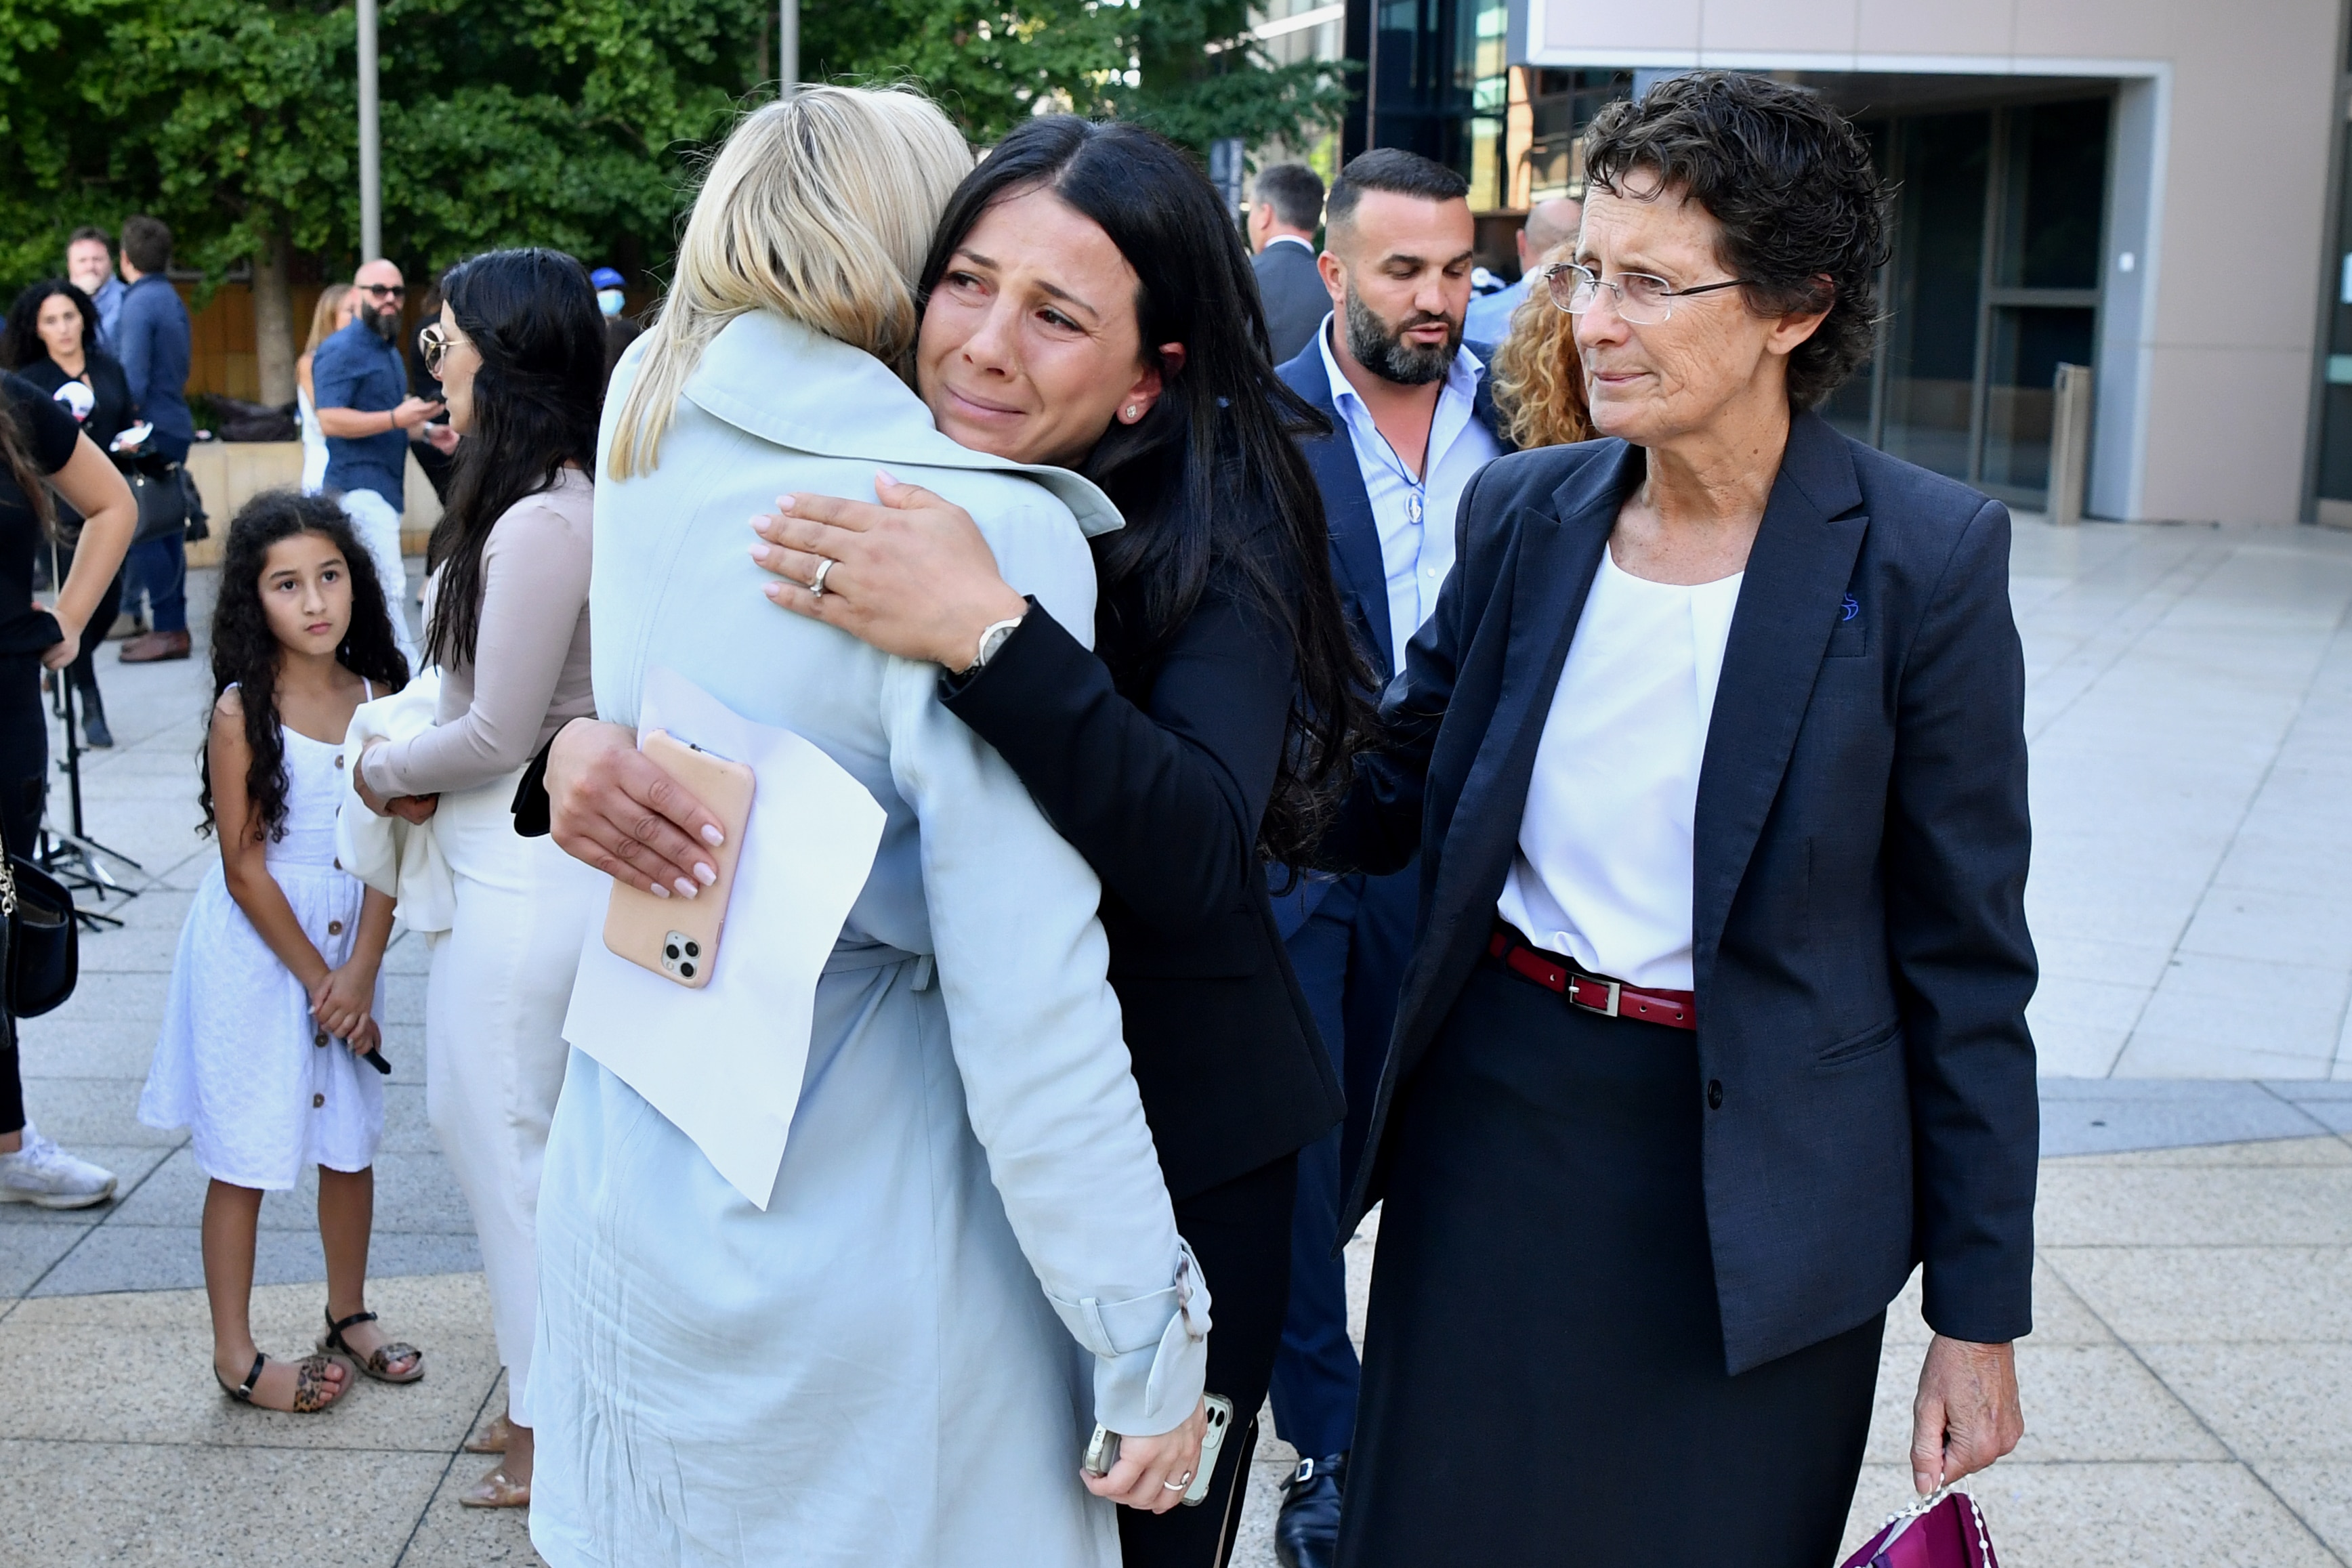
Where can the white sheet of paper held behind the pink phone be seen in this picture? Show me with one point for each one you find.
(726, 1061)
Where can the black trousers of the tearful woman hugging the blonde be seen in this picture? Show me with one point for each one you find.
(1243, 1238)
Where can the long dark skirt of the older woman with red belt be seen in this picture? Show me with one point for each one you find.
(1544, 1367)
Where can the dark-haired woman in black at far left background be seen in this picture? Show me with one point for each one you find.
(53, 342)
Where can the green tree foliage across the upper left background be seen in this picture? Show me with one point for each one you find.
(566, 123)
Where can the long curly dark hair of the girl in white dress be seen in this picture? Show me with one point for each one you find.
(246, 652)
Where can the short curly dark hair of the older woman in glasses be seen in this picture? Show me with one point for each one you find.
(1791, 182)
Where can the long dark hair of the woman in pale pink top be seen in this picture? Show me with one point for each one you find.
(537, 398)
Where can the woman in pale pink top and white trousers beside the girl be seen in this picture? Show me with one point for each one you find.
(521, 356)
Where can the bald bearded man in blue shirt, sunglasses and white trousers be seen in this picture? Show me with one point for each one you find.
(366, 410)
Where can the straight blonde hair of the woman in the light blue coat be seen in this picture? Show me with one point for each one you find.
(820, 208)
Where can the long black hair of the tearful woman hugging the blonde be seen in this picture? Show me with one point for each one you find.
(1212, 478)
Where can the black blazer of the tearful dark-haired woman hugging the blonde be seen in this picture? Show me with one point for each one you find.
(1156, 768)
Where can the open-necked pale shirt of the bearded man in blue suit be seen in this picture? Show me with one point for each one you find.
(1415, 514)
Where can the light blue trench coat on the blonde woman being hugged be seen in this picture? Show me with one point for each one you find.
(970, 1254)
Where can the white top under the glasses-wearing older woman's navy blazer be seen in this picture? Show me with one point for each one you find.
(1605, 866)
